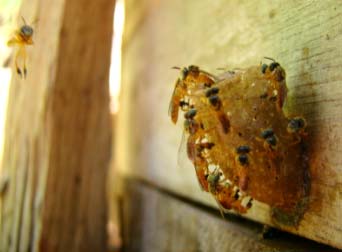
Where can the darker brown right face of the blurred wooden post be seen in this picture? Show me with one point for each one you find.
(80, 131)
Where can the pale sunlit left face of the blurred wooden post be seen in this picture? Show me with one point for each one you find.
(26, 140)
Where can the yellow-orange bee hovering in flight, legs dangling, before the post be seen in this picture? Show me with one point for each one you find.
(20, 39)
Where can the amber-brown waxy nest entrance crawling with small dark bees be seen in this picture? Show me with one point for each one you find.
(241, 143)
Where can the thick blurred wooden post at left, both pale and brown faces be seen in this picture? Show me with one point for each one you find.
(58, 131)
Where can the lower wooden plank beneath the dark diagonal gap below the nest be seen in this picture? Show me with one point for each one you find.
(157, 221)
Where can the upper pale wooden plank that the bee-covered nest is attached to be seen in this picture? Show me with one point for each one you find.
(305, 37)
